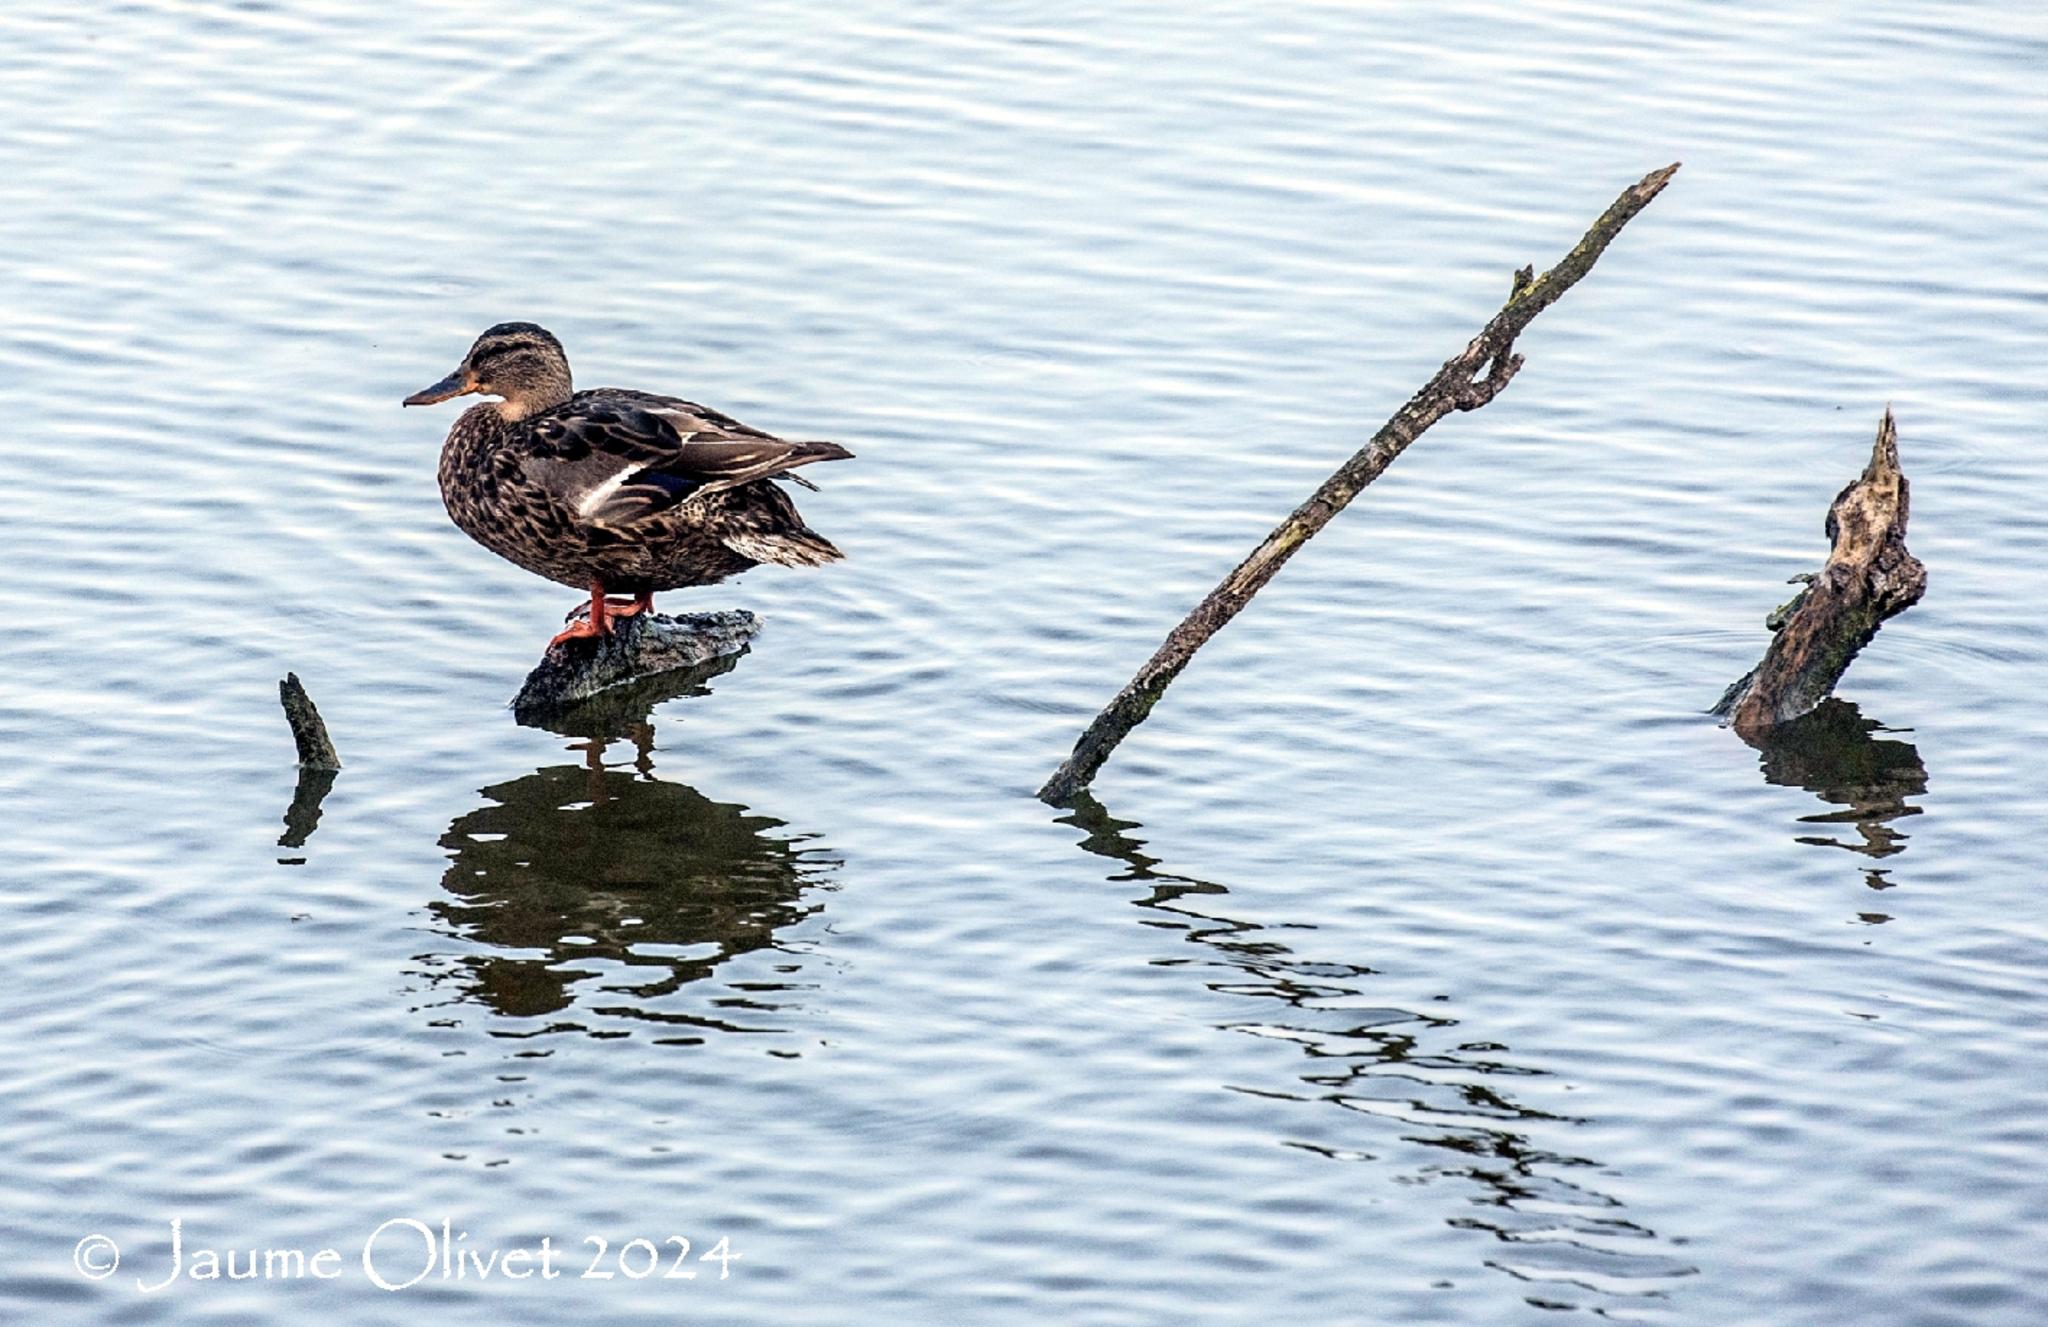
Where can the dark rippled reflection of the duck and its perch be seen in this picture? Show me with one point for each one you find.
(595, 894)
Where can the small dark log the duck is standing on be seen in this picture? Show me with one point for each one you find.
(638, 648)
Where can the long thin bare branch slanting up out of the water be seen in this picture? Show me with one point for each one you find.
(1465, 382)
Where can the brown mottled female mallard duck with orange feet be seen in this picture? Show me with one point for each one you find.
(613, 490)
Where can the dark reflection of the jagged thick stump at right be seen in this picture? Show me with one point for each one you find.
(1836, 755)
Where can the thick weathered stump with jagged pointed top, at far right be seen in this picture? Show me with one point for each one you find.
(1869, 579)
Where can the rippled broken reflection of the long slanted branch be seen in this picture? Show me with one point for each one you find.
(1424, 1080)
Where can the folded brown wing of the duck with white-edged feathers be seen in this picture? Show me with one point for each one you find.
(615, 458)
